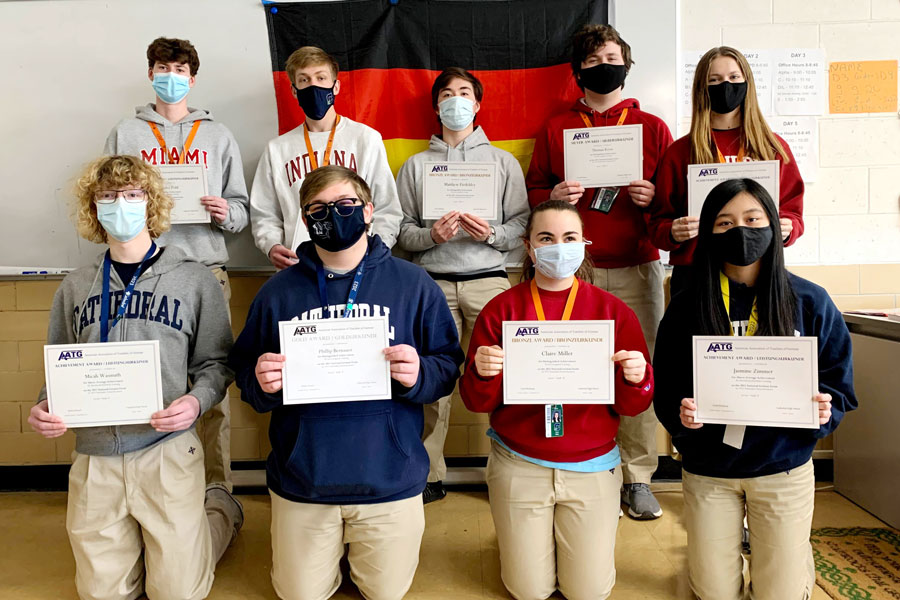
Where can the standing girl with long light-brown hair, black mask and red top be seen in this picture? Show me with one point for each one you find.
(727, 125)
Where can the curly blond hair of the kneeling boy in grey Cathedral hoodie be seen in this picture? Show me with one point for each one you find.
(118, 172)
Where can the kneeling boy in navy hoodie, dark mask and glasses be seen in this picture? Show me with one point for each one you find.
(347, 472)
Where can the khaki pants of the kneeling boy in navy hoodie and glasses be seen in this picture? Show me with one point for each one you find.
(308, 543)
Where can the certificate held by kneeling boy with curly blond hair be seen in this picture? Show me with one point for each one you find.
(116, 383)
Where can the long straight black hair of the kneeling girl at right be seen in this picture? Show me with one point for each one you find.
(775, 299)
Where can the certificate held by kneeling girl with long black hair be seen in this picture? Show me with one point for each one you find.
(764, 381)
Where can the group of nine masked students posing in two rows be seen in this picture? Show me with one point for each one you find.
(146, 516)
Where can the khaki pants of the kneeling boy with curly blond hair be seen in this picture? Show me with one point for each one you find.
(137, 523)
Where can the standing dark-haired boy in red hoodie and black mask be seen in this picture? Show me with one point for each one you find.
(625, 261)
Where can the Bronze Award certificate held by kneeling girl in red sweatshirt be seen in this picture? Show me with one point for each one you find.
(558, 362)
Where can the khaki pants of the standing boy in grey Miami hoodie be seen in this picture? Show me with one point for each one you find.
(214, 426)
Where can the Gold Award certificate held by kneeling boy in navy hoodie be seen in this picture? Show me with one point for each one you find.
(335, 360)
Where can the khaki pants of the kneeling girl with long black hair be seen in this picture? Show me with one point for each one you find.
(779, 512)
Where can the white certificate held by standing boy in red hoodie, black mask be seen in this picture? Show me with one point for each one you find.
(604, 156)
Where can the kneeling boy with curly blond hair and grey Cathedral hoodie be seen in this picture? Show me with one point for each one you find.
(135, 515)
